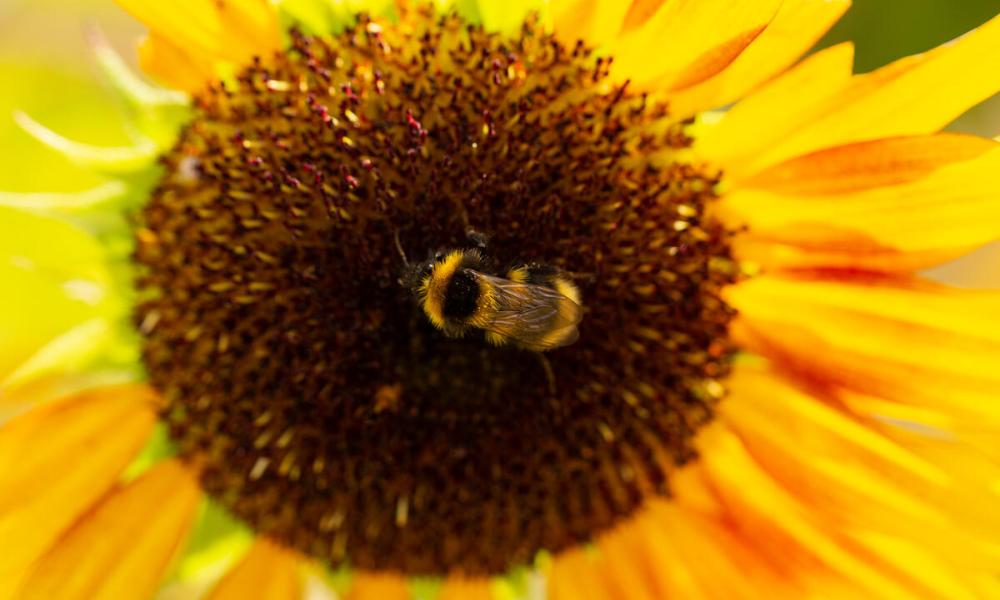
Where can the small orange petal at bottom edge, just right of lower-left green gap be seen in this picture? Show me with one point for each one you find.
(267, 572)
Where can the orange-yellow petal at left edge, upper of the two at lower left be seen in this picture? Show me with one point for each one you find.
(57, 460)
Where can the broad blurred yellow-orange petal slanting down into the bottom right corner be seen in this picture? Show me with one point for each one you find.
(865, 486)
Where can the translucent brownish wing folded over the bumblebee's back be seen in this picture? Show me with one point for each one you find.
(536, 317)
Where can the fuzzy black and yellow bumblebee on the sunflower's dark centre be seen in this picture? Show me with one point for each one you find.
(533, 306)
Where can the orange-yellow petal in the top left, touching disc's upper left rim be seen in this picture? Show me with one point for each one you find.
(195, 34)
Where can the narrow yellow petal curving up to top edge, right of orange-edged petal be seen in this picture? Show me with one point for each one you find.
(796, 27)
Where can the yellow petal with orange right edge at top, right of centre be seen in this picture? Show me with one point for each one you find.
(687, 41)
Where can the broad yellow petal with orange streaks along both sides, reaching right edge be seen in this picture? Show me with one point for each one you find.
(896, 205)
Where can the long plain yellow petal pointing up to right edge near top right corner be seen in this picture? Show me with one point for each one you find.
(915, 95)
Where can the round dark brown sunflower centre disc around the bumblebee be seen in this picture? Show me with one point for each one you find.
(323, 407)
